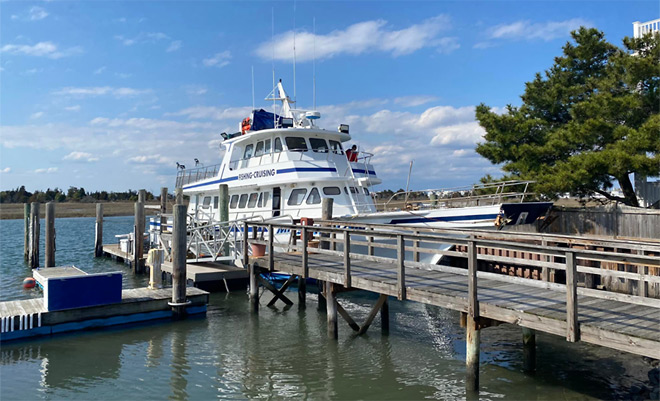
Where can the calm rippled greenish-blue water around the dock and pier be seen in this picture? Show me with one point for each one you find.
(282, 353)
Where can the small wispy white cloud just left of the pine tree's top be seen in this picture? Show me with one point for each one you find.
(527, 30)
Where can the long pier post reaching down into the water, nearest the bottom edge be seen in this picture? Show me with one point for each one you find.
(472, 335)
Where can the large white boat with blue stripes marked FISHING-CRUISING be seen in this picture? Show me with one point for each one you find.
(280, 166)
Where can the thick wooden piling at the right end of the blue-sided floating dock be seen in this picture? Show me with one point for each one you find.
(179, 273)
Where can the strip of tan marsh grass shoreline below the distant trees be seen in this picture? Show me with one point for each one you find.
(14, 211)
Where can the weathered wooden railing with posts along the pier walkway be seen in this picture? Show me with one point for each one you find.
(475, 248)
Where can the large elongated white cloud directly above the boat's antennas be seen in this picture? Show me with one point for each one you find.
(362, 37)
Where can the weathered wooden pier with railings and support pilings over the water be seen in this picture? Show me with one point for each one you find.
(620, 321)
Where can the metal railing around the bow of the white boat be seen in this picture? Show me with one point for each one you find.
(475, 195)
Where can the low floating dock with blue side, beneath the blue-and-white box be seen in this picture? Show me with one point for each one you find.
(29, 317)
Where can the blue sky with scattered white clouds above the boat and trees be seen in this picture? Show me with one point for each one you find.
(110, 95)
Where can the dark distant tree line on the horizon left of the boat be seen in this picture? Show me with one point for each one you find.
(73, 194)
